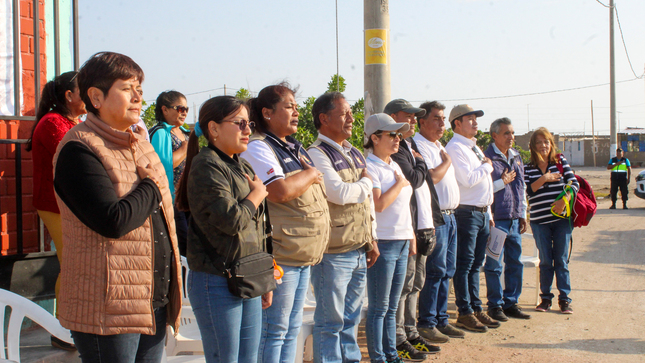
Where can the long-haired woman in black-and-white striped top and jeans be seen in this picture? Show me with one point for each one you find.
(552, 230)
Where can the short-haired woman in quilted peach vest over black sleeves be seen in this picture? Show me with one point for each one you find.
(120, 280)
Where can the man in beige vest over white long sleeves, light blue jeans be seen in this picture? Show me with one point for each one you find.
(339, 279)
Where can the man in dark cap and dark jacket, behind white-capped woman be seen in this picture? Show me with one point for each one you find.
(426, 213)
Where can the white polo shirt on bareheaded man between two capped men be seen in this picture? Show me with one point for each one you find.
(447, 189)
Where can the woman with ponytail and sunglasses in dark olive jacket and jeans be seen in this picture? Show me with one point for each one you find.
(226, 201)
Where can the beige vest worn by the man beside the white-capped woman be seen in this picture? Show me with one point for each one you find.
(351, 224)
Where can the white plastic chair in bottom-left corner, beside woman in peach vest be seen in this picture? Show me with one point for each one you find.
(21, 308)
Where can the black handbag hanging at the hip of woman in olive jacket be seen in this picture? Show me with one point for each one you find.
(252, 275)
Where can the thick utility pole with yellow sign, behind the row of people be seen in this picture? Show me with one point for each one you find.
(376, 25)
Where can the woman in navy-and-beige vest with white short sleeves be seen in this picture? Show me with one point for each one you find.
(299, 214)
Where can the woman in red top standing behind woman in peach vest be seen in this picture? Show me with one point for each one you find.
(59, 109)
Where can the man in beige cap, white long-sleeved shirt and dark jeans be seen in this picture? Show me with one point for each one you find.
(472, 170)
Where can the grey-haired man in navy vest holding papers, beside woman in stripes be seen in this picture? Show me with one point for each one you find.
(509, 214)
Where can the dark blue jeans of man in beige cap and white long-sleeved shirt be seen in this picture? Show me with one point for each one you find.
(473, 230)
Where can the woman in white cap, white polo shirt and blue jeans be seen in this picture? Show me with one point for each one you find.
(394, 232)
